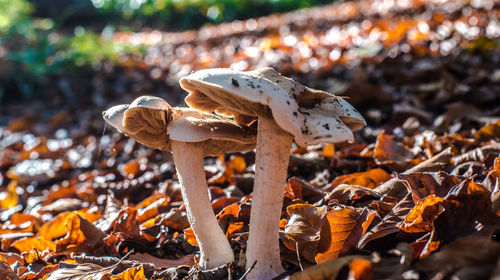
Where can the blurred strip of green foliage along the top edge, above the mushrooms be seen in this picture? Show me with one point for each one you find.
(182, 14)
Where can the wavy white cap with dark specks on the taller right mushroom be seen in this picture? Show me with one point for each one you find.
(311, 116)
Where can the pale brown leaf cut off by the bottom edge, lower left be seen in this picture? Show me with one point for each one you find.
(87, 271)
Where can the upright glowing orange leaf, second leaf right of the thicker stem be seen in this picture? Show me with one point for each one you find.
(341, 231)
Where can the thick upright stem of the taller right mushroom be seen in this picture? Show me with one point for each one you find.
(271, 165)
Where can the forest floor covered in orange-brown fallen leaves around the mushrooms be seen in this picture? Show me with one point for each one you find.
(417, 196)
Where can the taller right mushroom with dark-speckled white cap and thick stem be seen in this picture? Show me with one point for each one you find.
(285, 110)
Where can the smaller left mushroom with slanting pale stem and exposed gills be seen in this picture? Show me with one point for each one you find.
(190, 136)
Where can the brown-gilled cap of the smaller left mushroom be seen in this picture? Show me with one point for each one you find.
(154, 123)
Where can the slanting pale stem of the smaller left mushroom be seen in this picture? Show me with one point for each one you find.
(214, 246)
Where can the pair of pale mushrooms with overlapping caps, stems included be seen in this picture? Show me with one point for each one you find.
(285, 111)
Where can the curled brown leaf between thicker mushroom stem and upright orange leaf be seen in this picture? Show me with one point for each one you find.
(303, 228)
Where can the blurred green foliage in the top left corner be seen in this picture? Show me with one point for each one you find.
(33, 49)
